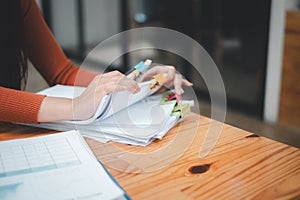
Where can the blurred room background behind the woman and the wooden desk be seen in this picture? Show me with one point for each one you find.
(255, 45)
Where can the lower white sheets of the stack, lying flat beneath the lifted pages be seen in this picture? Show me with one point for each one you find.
(138, 124)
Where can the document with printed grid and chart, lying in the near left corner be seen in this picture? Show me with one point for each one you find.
(56, 166)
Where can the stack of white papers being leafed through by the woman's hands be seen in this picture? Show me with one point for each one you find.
(135, 119)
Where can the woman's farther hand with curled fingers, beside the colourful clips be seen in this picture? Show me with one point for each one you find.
(173, 78)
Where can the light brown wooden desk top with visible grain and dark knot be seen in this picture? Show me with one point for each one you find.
(241, 166)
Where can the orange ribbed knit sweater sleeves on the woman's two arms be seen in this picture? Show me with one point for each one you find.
(48, 58)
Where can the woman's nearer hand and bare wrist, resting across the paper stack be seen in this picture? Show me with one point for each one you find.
(84, 106)
